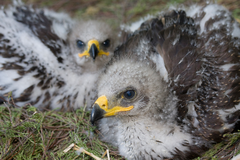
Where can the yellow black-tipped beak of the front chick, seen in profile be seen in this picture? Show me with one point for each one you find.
(101, 109)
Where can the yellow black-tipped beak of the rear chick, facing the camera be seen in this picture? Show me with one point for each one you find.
(93, 50)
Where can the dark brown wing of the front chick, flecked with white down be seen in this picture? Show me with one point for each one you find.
(203, 70)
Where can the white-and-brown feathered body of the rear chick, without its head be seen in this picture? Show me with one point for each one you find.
(36, 64)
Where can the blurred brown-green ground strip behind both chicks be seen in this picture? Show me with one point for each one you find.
(117, 12)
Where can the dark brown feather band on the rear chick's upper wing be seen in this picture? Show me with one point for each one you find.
(42, 27)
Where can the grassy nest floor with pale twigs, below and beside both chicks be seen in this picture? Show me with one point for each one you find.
(27, 133)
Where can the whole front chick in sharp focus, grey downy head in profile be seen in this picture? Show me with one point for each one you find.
(172, 90)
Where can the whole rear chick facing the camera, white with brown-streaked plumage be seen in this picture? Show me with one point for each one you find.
(40, 57)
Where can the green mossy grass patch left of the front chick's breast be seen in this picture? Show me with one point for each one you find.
(28, 133)
